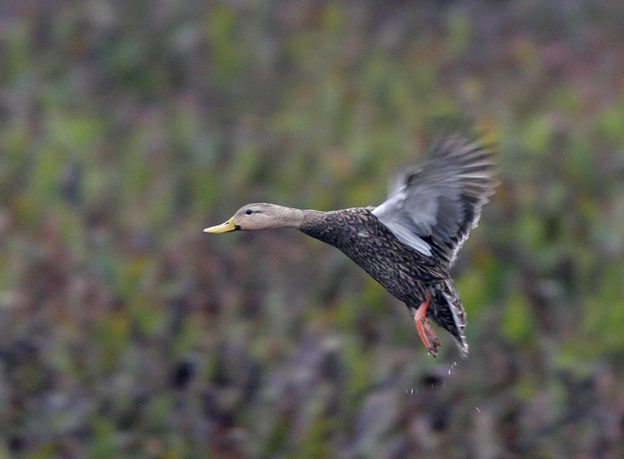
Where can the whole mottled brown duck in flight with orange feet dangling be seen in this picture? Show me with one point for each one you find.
(410, 241)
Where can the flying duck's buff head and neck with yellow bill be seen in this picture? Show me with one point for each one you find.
(260, 216)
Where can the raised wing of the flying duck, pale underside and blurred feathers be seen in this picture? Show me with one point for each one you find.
(433, 206)
